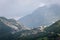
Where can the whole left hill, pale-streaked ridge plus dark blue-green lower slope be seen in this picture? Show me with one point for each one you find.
(8, 27)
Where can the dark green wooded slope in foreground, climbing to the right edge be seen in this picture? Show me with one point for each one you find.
(50, 33)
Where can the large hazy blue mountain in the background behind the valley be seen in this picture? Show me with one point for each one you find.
(42, 16)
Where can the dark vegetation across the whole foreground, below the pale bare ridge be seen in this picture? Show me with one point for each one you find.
(50, 33)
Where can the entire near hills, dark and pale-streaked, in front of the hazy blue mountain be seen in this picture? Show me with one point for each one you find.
(8, 31)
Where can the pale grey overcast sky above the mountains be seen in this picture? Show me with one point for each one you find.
(20, 8)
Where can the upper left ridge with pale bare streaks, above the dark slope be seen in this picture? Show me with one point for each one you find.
(13, 24)
